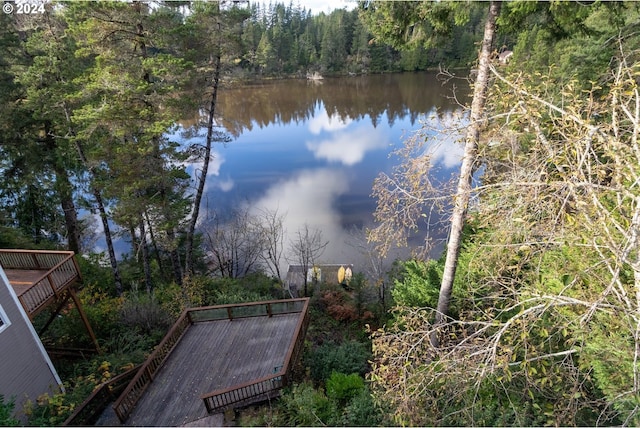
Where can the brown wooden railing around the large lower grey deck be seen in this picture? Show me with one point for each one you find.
(126, 402)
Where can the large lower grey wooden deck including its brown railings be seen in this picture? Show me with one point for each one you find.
(215, 358)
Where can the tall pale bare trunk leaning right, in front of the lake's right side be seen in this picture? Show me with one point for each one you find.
(463, 192)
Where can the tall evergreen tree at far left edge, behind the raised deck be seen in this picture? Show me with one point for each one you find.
(37, 146)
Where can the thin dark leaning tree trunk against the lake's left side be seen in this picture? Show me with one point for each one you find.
(188, 269)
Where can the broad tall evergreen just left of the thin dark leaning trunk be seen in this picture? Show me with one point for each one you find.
(127, 107)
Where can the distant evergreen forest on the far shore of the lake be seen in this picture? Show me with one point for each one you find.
(284, 39)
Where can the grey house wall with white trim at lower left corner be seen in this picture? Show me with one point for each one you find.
(26, 371)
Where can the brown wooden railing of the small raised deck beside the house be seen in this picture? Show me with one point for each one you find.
(60, 269)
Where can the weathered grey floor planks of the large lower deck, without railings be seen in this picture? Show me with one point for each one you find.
(213, 355)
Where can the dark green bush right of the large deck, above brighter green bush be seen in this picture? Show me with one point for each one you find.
(348, 357)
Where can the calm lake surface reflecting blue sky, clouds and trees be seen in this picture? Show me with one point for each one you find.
(312, 149)
